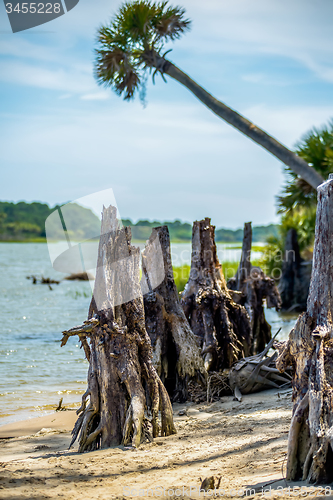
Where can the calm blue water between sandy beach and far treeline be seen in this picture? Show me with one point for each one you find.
(34, 371)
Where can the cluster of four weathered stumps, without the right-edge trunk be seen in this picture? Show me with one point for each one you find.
(145, 346)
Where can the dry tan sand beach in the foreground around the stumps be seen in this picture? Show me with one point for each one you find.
(244, 444)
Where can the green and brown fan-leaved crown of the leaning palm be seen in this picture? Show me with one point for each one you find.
(137, 34)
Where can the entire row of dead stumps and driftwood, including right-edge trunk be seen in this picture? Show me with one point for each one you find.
(139, 336)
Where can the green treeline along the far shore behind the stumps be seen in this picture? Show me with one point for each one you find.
(26, 222)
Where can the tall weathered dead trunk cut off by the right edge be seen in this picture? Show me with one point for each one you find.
(310, 351)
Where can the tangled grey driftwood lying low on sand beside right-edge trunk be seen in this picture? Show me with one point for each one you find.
(257, 373)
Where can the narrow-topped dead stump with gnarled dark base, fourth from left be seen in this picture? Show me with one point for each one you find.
(252, 289)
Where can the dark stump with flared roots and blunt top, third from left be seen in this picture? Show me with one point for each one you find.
(222, 325)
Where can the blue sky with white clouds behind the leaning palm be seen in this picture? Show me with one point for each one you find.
(63, 137)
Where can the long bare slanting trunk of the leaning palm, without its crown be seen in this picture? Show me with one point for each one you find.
(297, 164)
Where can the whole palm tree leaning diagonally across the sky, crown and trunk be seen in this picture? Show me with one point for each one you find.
(133, 43)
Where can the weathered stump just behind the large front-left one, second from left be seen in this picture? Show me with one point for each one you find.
(176, 351)
